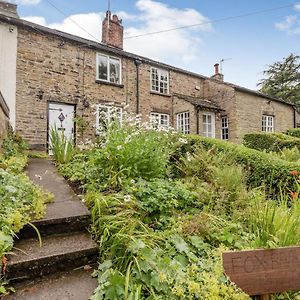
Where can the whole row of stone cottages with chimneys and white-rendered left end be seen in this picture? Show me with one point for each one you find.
(48, 76)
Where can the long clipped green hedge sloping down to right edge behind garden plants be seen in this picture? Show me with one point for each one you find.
(262, 169)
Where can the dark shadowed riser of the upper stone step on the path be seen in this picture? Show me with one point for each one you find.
(51, 226)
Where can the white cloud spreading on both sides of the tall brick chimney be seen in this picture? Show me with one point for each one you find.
(179, 47)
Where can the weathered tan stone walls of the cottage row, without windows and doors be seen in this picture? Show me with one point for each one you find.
(55, 67)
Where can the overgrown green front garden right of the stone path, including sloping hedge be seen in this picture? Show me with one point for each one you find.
(165, 206)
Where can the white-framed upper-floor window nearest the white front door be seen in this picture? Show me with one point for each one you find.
(108, 68)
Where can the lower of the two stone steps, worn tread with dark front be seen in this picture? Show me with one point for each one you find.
(57, 253)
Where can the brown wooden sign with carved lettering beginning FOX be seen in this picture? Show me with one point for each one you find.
(263, 272)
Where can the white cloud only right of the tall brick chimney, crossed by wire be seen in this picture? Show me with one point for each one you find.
(179, 46)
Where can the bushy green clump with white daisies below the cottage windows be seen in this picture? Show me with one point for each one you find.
(124, 153)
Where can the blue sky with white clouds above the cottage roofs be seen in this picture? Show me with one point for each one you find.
(250, 43)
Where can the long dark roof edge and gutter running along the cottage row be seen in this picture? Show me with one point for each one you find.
(98, 46)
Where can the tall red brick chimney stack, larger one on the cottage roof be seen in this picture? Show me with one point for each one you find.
(112, 31)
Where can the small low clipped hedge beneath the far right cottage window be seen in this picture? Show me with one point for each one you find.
(270, 141)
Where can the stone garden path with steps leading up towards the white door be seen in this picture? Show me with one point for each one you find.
(60, 268)
